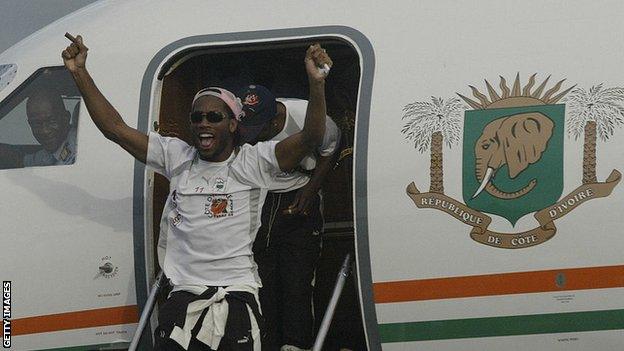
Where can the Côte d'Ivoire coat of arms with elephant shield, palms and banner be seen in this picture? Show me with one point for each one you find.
(512, 162)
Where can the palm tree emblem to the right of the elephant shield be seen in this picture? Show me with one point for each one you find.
(594, 113)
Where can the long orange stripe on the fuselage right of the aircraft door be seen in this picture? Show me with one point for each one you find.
(499, 284)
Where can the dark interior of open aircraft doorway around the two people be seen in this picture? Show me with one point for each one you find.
(279, 67)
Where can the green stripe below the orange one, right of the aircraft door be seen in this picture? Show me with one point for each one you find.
(502, 326)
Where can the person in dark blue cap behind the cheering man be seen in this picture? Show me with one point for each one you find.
(288, 243)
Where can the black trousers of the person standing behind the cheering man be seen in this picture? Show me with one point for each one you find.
(286, 250)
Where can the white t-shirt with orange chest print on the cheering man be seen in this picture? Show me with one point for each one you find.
(213, 210)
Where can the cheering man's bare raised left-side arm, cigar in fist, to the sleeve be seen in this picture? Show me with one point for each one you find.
(103, 114)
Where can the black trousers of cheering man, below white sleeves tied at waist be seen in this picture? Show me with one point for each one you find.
(237, 329)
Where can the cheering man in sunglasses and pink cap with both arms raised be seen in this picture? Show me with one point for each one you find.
(216, 195)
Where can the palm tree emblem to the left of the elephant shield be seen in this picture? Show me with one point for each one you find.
(429, 125)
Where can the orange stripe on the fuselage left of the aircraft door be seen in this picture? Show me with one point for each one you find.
(75, 320)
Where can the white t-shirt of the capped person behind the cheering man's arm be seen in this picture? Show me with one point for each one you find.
(294, 122)
